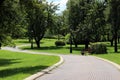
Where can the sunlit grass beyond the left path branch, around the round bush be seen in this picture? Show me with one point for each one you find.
(48, 45)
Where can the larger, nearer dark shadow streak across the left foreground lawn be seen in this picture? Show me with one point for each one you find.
(30, 70)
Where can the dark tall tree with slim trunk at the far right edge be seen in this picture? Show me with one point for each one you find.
(115, 18)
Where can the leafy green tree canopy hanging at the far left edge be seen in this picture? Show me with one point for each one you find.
(10, 17)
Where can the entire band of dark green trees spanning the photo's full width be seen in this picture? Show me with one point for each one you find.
(84, 21)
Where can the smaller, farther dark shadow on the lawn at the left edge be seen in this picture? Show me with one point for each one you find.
(5, 62)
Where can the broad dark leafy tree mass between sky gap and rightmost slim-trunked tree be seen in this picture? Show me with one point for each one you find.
(84, 21)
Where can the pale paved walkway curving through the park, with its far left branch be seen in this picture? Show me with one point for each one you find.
(78, 67)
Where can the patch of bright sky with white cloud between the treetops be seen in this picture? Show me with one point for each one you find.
(62, 4)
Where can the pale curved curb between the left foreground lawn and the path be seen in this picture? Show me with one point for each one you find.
(45, 71)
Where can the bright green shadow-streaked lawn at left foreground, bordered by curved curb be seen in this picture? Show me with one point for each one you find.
(17, 65)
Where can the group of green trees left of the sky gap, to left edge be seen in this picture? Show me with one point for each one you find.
(21, 18)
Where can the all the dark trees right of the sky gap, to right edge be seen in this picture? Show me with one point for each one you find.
(94, 21)
